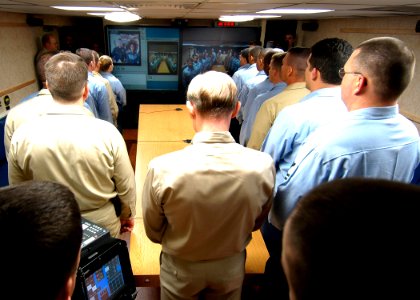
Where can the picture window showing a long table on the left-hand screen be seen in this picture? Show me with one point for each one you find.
(162, 58)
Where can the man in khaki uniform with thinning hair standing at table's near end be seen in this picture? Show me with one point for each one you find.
(203, 202)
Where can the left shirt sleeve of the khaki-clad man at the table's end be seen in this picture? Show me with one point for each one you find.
(154, 219)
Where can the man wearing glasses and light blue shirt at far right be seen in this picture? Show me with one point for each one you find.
(372, 141)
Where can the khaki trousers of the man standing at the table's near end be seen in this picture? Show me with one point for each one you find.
(214, 279)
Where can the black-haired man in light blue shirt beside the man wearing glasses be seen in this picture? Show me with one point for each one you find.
(294, 123)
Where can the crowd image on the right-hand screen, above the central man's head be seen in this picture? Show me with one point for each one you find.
(199, 59)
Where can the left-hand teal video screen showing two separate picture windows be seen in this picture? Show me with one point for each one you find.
(145, 58)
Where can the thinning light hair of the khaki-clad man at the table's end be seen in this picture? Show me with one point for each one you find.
(213, 93)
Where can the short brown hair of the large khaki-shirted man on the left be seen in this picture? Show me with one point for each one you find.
(66, 75)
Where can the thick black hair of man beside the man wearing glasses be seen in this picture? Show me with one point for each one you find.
(328, 56)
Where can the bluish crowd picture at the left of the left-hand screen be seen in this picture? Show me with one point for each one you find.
(126, 48)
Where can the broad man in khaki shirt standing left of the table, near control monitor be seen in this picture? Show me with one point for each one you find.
(69, 146)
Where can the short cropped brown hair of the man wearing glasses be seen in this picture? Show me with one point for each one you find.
(389, 63)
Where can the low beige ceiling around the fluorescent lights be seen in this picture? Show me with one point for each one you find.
(212, 9)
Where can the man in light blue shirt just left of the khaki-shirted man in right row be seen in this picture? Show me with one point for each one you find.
(254, 106)
